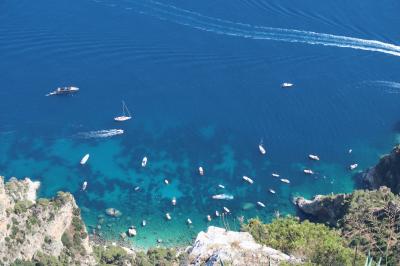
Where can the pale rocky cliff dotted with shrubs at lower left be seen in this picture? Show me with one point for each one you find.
(31, 228)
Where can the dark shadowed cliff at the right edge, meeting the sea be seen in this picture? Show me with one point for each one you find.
(385, 173)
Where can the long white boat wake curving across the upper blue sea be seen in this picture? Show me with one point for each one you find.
(225, 27)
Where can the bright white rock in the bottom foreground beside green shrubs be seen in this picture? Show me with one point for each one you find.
(233, 248)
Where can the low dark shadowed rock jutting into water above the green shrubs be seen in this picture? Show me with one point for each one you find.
(327, 209)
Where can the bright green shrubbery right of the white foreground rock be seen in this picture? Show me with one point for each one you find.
(317, 243)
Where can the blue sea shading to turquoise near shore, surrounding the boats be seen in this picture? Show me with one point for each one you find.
(202, 80)
